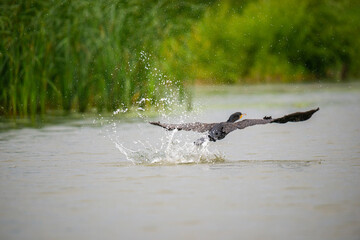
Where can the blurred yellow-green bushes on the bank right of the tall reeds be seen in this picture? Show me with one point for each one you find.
(270, 41)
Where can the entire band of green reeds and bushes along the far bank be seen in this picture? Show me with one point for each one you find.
(103, 55)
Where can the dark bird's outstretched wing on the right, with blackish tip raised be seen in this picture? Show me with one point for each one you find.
(294, 117)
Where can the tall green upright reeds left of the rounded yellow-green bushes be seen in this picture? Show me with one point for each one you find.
(76, 55)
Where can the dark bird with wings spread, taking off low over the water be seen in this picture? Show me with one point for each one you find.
(218, 131)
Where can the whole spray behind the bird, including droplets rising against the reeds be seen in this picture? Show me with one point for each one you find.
(170, 147)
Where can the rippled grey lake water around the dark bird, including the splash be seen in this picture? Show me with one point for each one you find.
(125, 179)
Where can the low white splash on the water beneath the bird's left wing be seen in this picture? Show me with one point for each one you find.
(170, 147)
